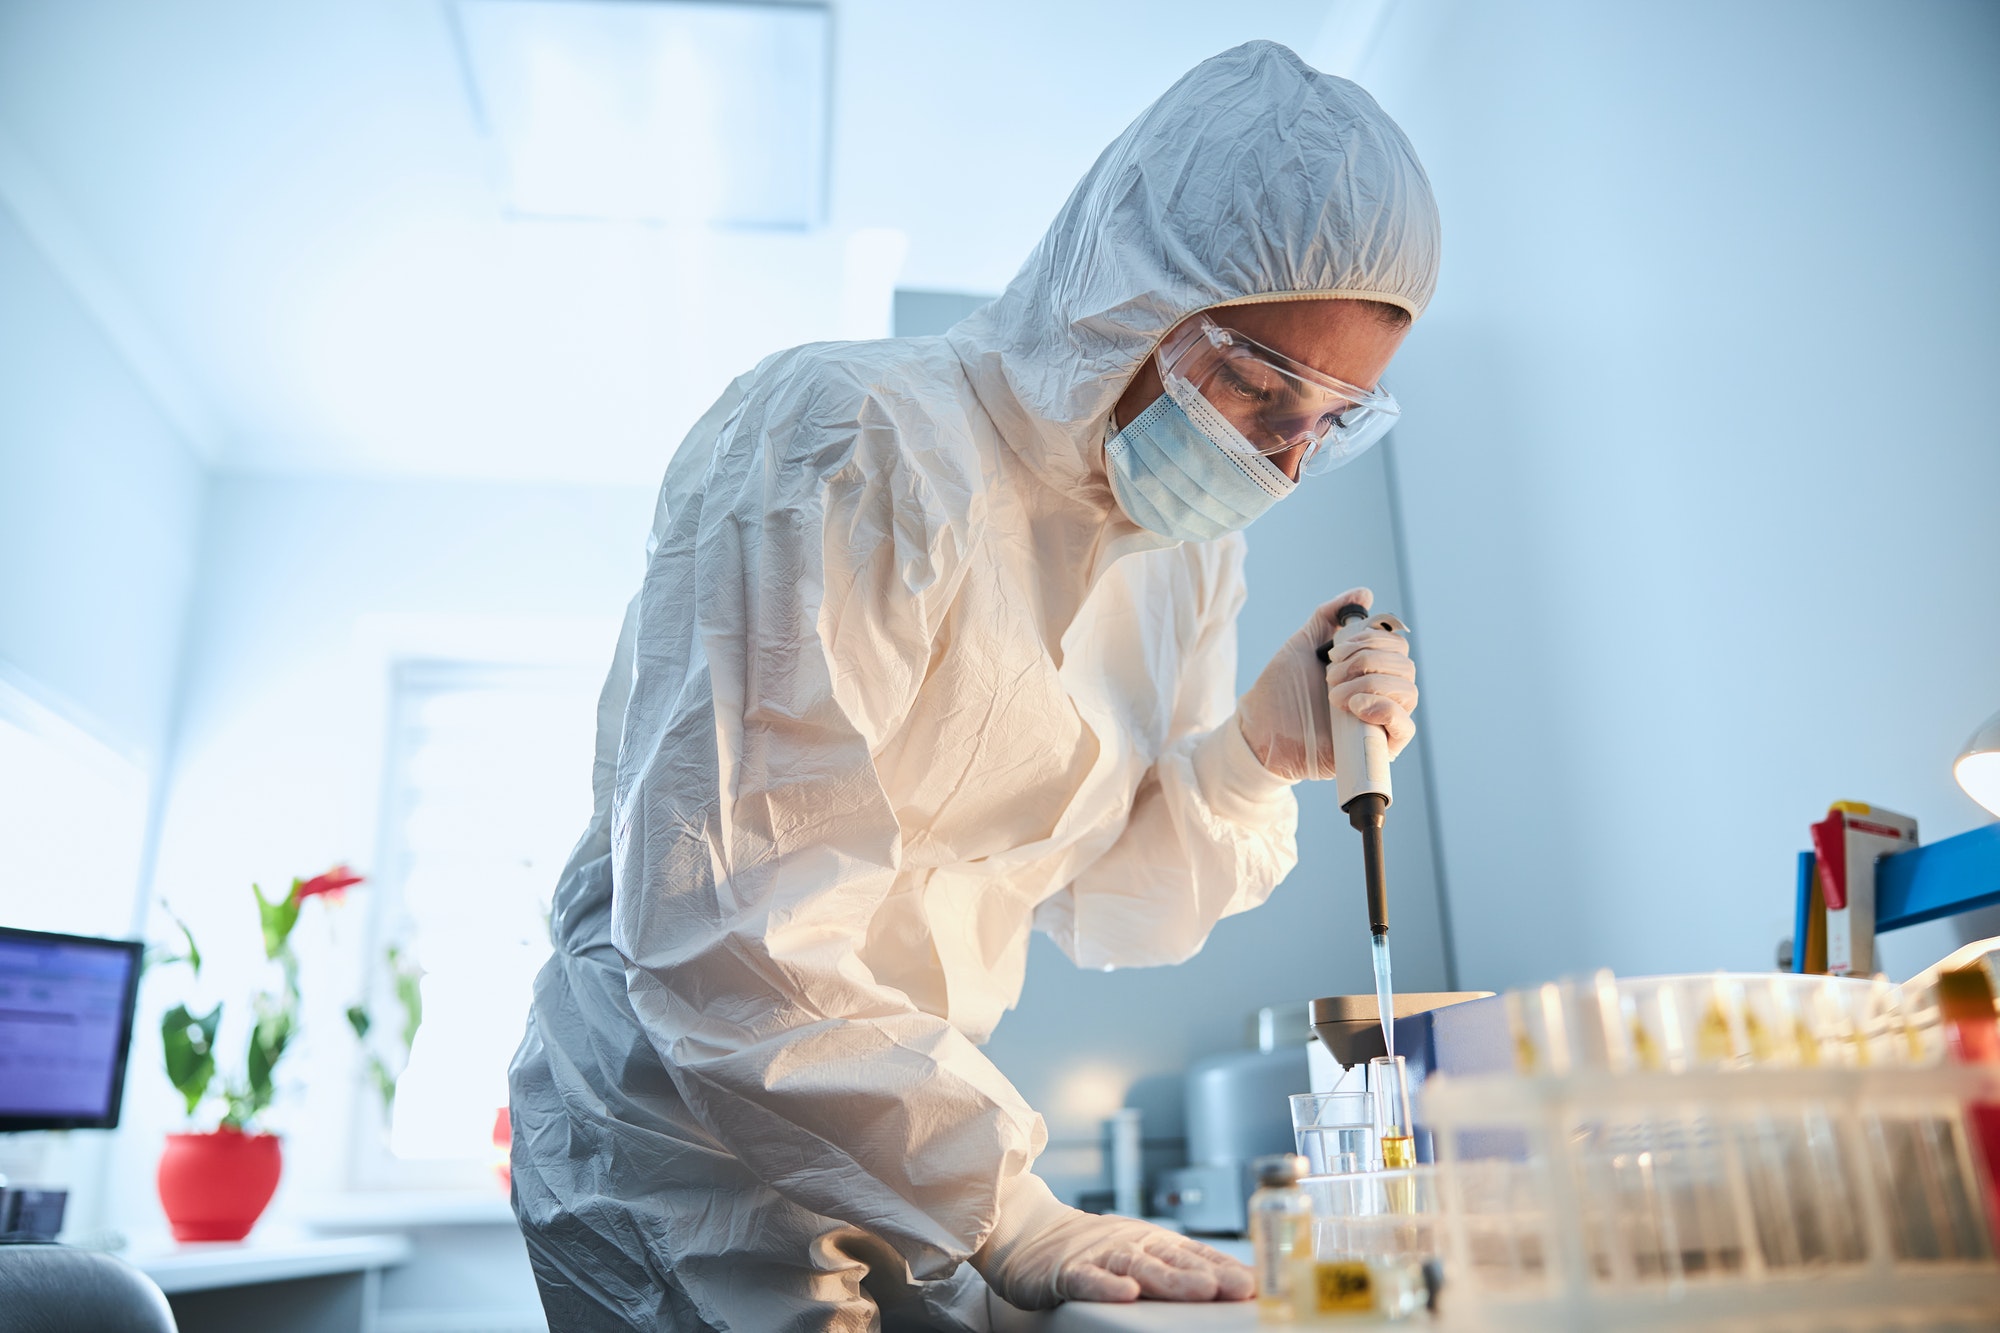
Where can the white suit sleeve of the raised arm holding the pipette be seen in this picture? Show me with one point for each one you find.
(1211, 830)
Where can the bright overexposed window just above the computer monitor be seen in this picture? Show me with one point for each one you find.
(73, 826)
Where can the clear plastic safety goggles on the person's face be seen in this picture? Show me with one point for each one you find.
(1271, 401)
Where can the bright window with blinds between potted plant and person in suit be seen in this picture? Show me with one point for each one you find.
(487, 792)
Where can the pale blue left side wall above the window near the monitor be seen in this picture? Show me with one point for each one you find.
(99, 511)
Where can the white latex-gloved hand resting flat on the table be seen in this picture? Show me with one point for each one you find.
(1043, 1254)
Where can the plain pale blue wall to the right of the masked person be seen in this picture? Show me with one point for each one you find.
(1701, 463)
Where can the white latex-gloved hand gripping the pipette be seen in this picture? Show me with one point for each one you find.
(1371, 678)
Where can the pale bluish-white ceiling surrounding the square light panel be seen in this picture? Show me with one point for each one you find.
(291, 213)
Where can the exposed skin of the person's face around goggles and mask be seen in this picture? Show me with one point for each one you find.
(1345, 339)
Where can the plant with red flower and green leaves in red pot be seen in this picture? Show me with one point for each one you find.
(217, 1184)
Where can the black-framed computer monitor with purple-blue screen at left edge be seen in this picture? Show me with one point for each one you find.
(65, 1028)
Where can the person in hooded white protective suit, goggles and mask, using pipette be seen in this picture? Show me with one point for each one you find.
(937, 645)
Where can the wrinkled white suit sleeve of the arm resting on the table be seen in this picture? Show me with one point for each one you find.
(753, 846)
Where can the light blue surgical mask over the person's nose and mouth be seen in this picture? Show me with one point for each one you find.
(1175, 479)
